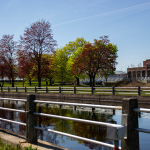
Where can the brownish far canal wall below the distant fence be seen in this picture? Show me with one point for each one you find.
(79, 98)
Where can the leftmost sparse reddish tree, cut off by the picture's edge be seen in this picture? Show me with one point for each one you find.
(8, 56)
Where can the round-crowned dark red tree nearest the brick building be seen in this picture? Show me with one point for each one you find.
(99, 57)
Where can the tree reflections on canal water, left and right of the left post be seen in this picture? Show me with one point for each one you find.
(94, 132)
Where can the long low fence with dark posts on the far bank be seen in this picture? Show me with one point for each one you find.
(140, 91)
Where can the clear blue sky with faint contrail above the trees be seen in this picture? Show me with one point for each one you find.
(126, 22)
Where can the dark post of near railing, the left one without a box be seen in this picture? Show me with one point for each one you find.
(31, 134)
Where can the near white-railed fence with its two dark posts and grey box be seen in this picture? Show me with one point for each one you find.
(114, 132)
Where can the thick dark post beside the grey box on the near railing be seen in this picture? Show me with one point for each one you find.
(132, 141)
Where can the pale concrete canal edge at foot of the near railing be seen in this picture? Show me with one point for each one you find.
(14, 139)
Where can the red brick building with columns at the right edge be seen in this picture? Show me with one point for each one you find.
(139, 72)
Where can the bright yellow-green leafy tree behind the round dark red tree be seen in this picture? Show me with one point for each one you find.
(65, 58)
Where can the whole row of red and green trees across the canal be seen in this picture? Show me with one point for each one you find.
(35, 58)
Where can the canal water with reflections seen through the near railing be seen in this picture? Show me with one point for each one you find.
(80, 129)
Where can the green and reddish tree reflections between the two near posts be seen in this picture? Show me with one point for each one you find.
(76, 128)
